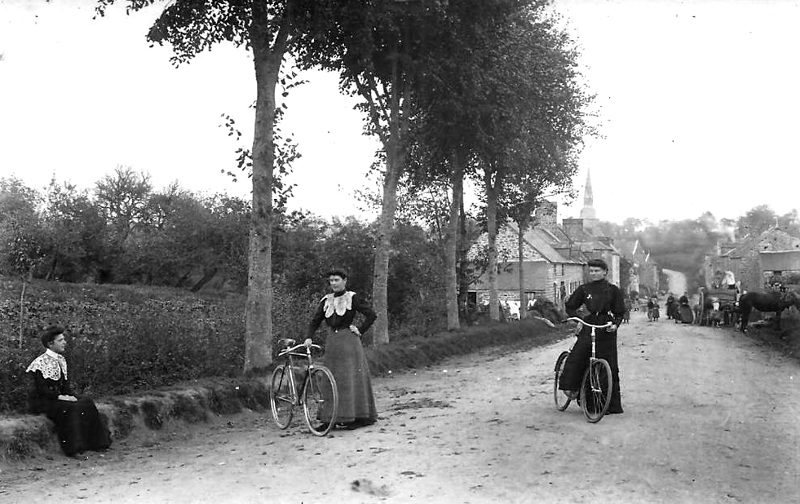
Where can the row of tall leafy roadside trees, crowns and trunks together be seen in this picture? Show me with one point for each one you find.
(486, 89)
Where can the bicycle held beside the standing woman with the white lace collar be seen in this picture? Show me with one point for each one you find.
(318, 394)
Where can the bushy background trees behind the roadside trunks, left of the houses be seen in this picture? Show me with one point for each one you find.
(124, 231)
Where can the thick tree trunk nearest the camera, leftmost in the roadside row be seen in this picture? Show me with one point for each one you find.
(258, 310)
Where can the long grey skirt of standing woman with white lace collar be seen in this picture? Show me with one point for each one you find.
(345, 357)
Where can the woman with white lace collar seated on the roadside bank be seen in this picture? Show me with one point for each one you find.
(77, 420)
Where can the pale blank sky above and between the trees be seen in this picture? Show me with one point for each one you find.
(696, 102)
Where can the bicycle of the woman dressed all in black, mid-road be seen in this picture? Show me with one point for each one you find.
(596, 385)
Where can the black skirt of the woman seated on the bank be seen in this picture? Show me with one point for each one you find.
(78, 425)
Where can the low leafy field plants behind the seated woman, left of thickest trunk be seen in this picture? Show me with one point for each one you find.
(121, 339)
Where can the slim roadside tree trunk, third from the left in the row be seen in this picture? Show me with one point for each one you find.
(451, 243)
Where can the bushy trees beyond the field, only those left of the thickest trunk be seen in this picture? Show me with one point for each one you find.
(123, 231)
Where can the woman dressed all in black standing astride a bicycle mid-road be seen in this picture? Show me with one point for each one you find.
(605, 303)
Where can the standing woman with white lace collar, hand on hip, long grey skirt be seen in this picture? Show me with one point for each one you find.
(344, 353)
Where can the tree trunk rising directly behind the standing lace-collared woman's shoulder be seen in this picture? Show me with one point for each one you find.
(380, 277)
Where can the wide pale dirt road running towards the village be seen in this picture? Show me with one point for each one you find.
(710, 416)
